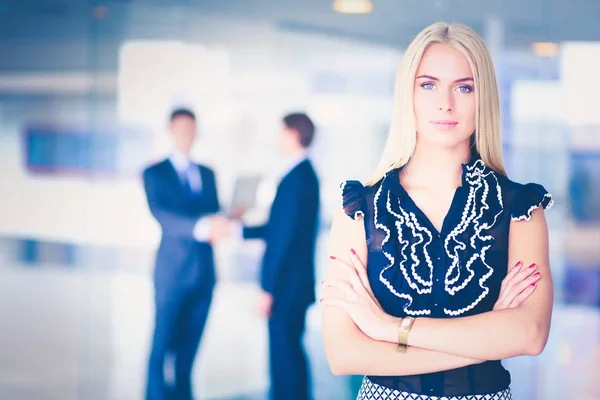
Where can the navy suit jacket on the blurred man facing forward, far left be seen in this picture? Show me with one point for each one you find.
(181, 261)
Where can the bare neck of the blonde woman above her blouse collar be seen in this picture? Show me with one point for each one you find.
(435, 166)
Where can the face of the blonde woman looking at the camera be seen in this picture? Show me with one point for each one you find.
(444, 97)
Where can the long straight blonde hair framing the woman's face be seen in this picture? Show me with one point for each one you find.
(402, 137)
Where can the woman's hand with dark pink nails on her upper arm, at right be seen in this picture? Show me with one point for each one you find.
(517, 286)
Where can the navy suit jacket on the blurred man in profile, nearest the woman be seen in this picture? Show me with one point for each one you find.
(288, 267)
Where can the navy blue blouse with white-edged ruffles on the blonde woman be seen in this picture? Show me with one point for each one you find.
(414, 270)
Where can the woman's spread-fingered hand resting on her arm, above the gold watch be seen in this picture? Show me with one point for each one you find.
(357, 300)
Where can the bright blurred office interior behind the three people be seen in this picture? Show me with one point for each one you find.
(85, 91)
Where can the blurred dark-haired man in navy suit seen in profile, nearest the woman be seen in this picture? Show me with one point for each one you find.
(288, 269)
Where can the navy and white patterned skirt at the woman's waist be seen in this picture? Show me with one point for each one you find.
(373, 391)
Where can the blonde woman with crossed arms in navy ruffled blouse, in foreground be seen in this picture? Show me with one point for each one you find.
(439, 264)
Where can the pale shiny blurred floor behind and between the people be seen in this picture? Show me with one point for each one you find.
(83, 333)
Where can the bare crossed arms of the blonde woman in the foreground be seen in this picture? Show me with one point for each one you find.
(360, 338)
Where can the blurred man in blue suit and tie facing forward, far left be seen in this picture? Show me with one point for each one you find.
(182, 197)
